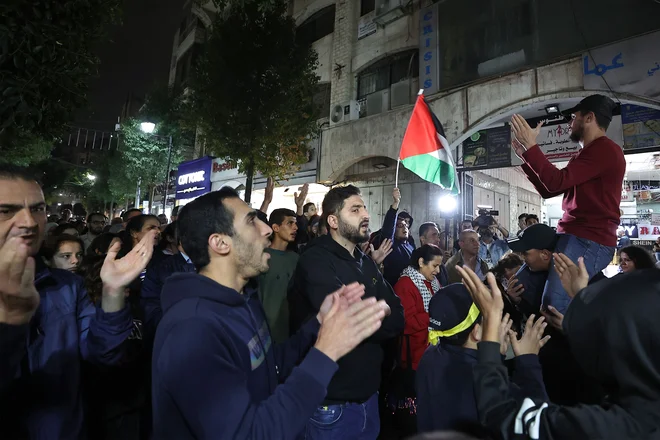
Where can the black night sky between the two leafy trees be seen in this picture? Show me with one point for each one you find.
(137, 57)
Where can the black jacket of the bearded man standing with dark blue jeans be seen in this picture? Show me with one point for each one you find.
(323, 269)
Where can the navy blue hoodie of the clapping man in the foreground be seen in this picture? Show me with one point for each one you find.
(216, 370)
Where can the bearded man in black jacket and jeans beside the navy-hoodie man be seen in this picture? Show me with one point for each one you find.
(350, 409)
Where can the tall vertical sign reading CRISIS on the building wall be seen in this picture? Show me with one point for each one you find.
(429, 57)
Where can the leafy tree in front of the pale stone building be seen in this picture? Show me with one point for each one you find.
(251, 95)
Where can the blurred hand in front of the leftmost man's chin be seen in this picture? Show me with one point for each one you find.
(19, 298)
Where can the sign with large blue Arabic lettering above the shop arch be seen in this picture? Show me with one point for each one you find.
(630, 66)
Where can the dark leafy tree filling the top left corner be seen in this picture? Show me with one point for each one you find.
(46, 58)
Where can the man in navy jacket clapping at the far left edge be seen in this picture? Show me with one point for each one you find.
(48, 325)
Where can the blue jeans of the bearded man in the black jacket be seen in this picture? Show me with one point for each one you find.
(348, 421)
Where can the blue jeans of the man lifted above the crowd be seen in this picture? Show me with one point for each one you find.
(596, 258)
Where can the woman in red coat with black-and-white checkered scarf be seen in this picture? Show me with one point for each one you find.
(415, 288)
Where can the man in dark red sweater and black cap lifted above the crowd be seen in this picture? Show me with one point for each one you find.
(591, 186)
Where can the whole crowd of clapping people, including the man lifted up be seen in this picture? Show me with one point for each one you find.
(228, 323)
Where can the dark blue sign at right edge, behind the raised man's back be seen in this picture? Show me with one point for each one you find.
(641, 126)
